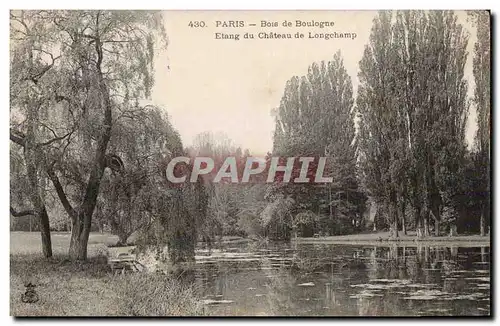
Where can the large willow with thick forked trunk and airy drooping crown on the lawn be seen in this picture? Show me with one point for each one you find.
(102, 63)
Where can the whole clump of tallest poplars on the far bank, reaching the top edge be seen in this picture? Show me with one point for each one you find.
(412, 84)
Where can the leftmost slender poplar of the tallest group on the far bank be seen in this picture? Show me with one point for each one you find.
(380, 138)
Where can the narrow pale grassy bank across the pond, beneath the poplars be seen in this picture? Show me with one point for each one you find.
(383, 239)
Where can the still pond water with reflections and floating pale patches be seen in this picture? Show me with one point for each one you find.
(344, 280)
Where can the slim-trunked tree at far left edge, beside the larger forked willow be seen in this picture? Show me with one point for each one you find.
(32, 70)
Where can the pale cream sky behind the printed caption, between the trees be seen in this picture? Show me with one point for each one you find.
(229, 86)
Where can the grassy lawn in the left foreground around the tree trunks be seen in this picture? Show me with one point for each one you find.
(89, 288)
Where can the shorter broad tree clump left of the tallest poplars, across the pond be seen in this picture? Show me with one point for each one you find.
(315, 118)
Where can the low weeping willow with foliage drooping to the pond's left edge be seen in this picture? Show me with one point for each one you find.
(176, 209)
